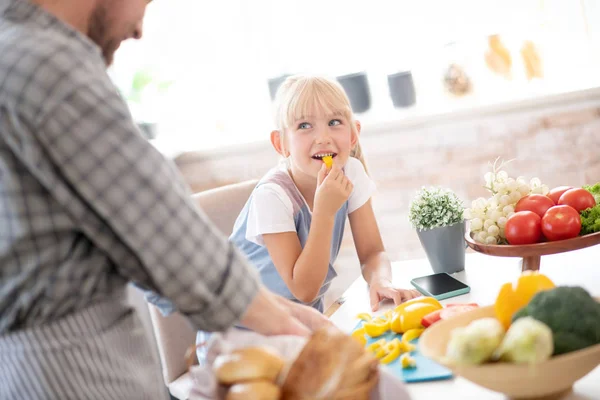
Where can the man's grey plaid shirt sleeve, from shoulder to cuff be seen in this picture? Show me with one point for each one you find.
(137, 208)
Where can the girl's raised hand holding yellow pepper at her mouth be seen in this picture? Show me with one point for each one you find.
(333, 189)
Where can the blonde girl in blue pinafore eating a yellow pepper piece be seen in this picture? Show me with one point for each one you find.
(293, 223)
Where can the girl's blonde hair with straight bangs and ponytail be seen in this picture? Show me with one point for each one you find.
(300, 95)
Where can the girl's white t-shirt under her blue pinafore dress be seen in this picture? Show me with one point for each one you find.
(271, 210)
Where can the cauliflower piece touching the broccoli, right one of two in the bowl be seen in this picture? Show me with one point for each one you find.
(528, 341)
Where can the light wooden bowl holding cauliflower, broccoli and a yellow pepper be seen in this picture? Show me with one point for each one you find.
(548, 380)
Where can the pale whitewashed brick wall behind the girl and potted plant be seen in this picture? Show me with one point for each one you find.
(558, 143)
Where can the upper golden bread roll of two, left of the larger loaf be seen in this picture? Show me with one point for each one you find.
(250, 363)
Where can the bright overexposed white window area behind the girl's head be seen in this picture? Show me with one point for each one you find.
(203, 67)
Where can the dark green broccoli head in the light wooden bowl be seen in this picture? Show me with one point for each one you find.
(570, 312)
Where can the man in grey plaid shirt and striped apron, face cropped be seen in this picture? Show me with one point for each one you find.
(86, 206)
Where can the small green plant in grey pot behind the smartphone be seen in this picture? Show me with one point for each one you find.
(437, 215)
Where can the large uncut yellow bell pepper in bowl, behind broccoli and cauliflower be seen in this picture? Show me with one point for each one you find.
(513, 297)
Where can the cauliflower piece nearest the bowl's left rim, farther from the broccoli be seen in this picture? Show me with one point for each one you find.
(475, 343)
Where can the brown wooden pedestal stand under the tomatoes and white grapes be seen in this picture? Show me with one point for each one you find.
(531, 253)
